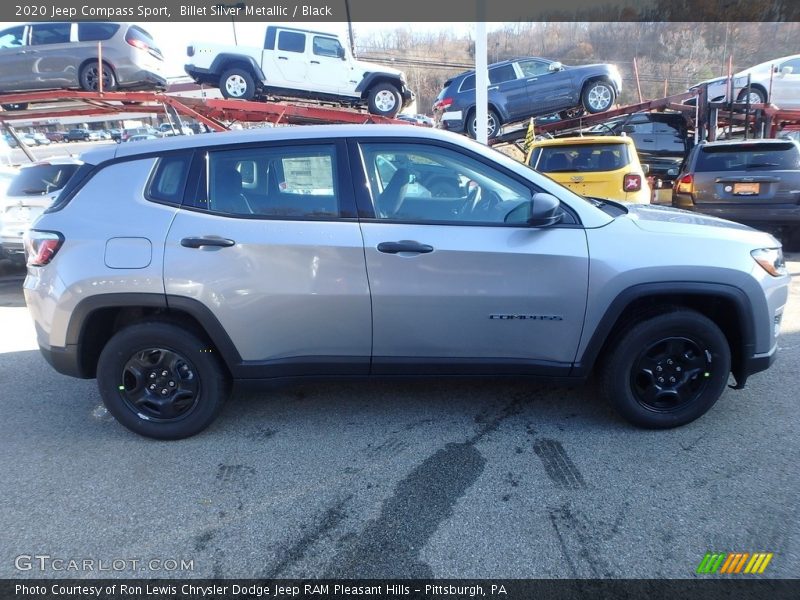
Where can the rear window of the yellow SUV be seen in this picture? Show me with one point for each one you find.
(582, 158)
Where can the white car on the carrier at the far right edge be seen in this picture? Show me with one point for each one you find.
(781, 75)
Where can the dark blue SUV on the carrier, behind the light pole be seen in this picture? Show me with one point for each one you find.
(524, 88)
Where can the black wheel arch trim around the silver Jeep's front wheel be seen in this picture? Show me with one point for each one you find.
(744, 309)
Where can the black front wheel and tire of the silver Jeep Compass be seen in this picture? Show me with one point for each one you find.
(687, 347)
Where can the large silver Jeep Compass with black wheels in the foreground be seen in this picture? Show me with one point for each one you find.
(169, 269)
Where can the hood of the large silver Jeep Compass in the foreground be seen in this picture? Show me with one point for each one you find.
(665, 219)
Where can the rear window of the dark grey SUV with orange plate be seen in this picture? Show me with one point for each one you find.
(746, 157)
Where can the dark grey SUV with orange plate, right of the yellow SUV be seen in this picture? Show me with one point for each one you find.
(756, 182)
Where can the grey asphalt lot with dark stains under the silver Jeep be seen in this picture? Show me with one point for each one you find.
(446, 479)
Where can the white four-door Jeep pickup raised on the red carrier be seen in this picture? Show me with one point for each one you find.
(298, 63)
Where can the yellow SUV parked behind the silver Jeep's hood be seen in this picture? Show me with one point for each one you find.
(597, 166)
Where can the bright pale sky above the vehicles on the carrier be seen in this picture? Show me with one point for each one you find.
(173, 38)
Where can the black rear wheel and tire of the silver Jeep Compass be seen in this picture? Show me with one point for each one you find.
(178, 363)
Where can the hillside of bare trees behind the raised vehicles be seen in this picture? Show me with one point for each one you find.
(669, 56)
